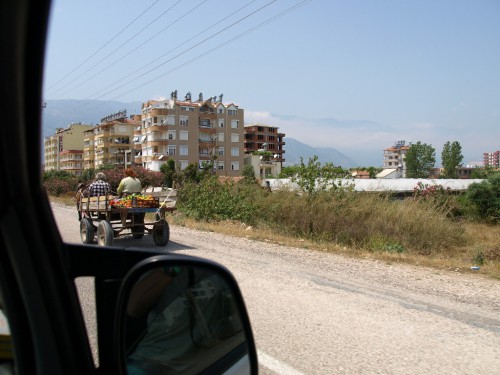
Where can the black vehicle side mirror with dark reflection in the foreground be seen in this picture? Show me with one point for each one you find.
(183, 315)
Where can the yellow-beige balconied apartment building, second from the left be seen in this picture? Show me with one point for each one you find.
(110, 142)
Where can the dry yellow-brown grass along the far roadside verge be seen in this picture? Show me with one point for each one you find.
(473, 243)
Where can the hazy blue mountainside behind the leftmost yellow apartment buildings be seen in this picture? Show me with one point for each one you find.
(61, 113)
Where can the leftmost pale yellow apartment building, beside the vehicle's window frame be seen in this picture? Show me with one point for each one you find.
(63, 151)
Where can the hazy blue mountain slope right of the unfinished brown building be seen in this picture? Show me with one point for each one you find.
(295, 149)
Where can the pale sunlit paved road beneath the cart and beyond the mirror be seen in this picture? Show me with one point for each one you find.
(318, 313)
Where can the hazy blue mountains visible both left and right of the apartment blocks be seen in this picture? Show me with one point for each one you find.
(61, 113)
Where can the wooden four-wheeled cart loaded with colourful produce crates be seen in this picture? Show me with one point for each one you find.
(105, 218)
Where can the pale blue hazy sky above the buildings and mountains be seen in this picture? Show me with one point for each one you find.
(353, 75)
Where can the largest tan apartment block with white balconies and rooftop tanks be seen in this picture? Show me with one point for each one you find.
(191, 131)
